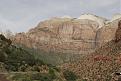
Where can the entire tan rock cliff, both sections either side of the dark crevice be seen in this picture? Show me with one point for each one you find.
(69, 35)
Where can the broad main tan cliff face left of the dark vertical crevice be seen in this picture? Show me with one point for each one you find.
(61, 35)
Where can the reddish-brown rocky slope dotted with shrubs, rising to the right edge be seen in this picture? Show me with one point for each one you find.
(102, 64)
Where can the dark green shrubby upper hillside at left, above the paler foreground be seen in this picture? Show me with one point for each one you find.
(15, 58)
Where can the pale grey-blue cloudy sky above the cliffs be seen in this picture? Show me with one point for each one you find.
(21, 15)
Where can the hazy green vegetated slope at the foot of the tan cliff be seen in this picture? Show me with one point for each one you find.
(53, 58)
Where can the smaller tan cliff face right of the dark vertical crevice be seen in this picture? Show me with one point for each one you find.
(107, 32)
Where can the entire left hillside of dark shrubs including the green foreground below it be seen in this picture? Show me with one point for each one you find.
(21, 64)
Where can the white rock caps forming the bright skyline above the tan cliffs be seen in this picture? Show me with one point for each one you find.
(100, 20)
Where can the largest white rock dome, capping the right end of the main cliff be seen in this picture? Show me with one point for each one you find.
(92, 17)
